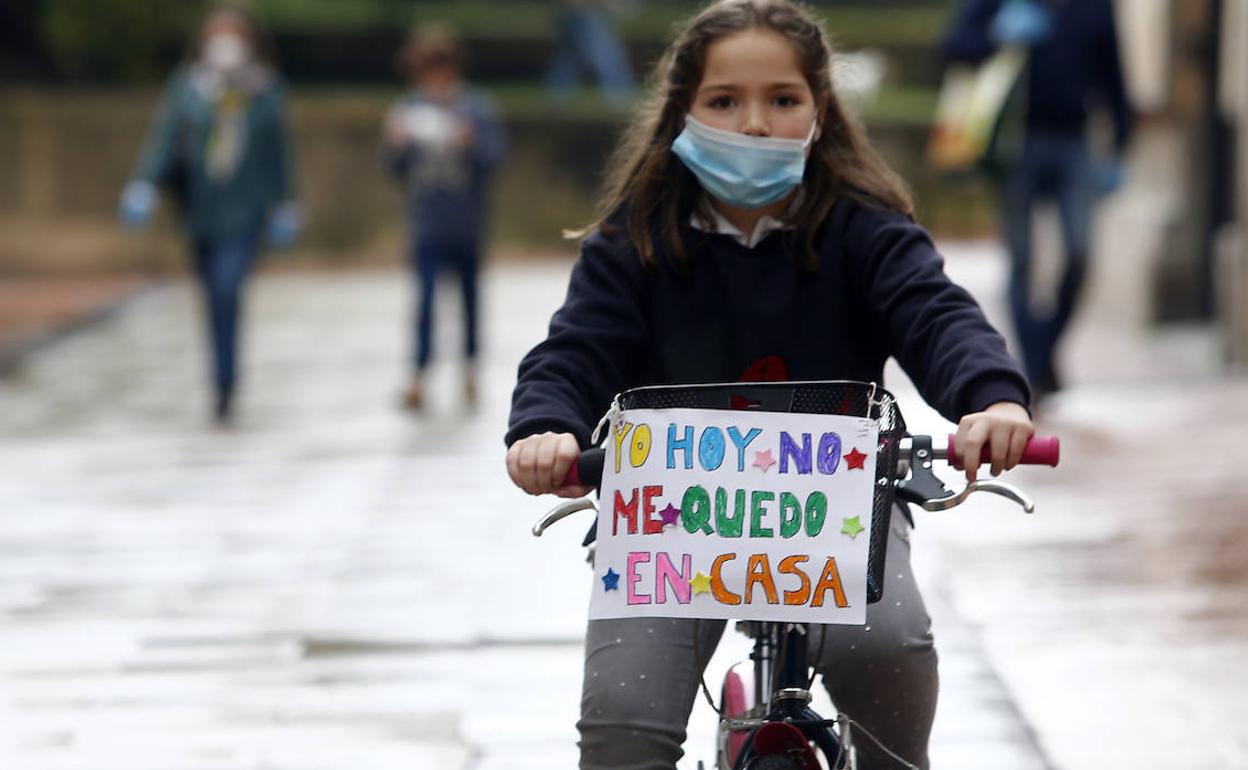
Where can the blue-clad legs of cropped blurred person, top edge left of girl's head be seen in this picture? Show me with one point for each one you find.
(587, 41)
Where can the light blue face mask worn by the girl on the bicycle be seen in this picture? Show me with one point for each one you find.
(739, 170)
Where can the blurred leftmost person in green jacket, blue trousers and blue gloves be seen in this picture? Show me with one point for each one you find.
(219, 147)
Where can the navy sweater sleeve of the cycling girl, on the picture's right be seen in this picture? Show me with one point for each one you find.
(933, 326)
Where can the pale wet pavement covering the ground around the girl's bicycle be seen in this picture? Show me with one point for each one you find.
(333, 583)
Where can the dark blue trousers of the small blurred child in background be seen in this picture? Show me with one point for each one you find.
(431, 259)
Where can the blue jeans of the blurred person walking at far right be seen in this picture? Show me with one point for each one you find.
(1054, 167)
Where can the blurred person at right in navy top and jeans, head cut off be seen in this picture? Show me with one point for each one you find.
(1074, 71)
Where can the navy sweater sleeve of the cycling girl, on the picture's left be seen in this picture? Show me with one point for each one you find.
(597, 346)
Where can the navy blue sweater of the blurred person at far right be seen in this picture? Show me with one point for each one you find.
(1075, 69)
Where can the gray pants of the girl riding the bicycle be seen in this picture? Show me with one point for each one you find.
(642, 677)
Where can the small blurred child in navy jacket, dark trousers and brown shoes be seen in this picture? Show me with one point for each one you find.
(444, 143)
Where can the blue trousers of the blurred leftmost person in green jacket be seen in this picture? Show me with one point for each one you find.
(223, 266)
